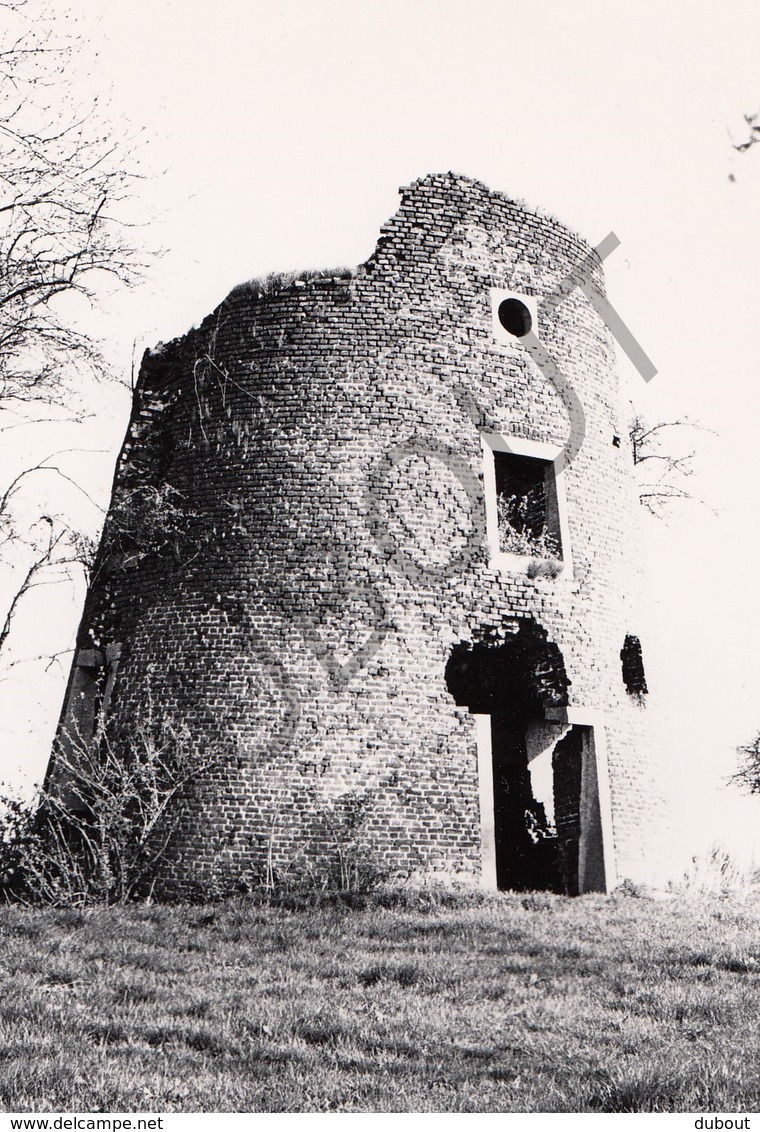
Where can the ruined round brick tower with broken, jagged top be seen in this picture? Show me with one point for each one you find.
(373, 541)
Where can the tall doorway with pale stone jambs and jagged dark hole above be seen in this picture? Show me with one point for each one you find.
(540, 805)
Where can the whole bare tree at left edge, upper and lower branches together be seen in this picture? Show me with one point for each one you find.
(64, 186)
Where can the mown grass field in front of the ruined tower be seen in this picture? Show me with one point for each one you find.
(510, 1004)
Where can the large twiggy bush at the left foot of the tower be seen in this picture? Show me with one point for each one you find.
(99, 830)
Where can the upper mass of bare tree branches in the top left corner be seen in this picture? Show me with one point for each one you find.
(63, 183)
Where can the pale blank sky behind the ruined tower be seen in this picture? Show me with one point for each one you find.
(276, 138)
